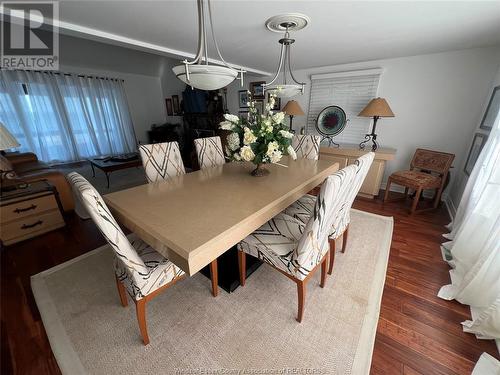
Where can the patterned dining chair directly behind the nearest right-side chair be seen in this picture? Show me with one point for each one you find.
(303, 208)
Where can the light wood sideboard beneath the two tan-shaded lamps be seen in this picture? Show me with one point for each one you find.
(347, 154)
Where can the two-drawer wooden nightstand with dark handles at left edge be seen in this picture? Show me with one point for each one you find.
(28, 212)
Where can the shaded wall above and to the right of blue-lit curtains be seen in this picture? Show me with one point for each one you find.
(140, 72)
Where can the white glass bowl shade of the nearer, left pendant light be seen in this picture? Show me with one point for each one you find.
(206, 77)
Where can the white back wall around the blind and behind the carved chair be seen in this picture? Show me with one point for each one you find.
(438, 99)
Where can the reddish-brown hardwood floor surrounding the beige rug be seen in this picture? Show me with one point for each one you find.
(418, 333)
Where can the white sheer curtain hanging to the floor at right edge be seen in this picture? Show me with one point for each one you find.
(473, 251)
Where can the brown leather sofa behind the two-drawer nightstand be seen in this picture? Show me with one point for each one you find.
(28, 168)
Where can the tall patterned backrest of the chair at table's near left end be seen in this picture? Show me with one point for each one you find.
(105, 222)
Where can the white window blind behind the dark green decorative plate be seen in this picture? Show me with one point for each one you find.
(351, 91)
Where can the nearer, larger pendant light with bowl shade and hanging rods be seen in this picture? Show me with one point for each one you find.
(198, 73)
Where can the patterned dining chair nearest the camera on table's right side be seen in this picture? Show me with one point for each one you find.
(297, 249)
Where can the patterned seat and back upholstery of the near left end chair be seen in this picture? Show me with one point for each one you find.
(139, 267)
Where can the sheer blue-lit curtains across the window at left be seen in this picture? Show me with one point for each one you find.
(62, 117)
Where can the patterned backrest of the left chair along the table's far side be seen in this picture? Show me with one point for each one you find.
(161, 161)
